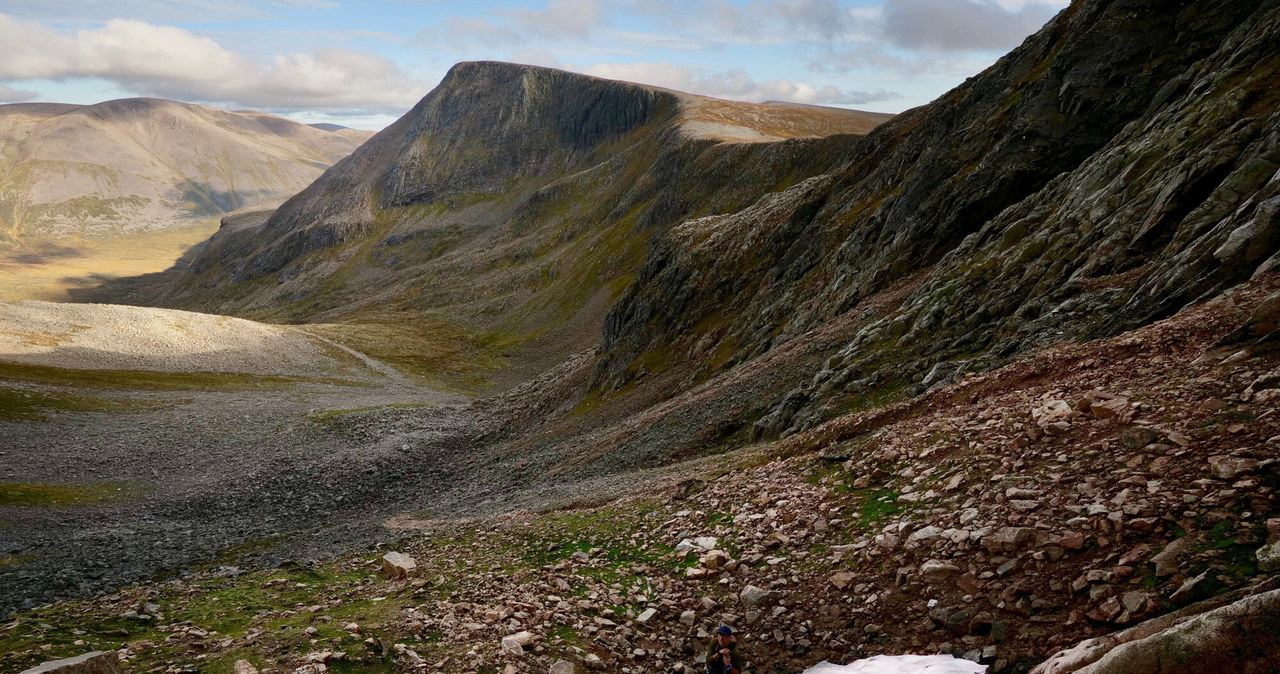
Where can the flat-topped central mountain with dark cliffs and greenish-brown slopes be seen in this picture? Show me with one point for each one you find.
(516, 200)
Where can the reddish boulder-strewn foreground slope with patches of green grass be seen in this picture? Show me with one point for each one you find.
(1008, 516)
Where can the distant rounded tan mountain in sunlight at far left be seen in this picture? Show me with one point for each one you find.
(147, 164)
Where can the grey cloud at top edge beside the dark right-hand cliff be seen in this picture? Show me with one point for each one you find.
(963, 25)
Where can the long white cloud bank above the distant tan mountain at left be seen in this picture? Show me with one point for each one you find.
(173, 63)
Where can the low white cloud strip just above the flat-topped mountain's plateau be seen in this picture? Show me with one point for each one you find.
(735, 85)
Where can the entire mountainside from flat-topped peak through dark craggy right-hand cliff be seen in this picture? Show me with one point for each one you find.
(748, 272)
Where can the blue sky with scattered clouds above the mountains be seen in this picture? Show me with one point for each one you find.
(364, 63)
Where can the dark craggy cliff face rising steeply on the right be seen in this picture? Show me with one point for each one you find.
(1114, 168)
